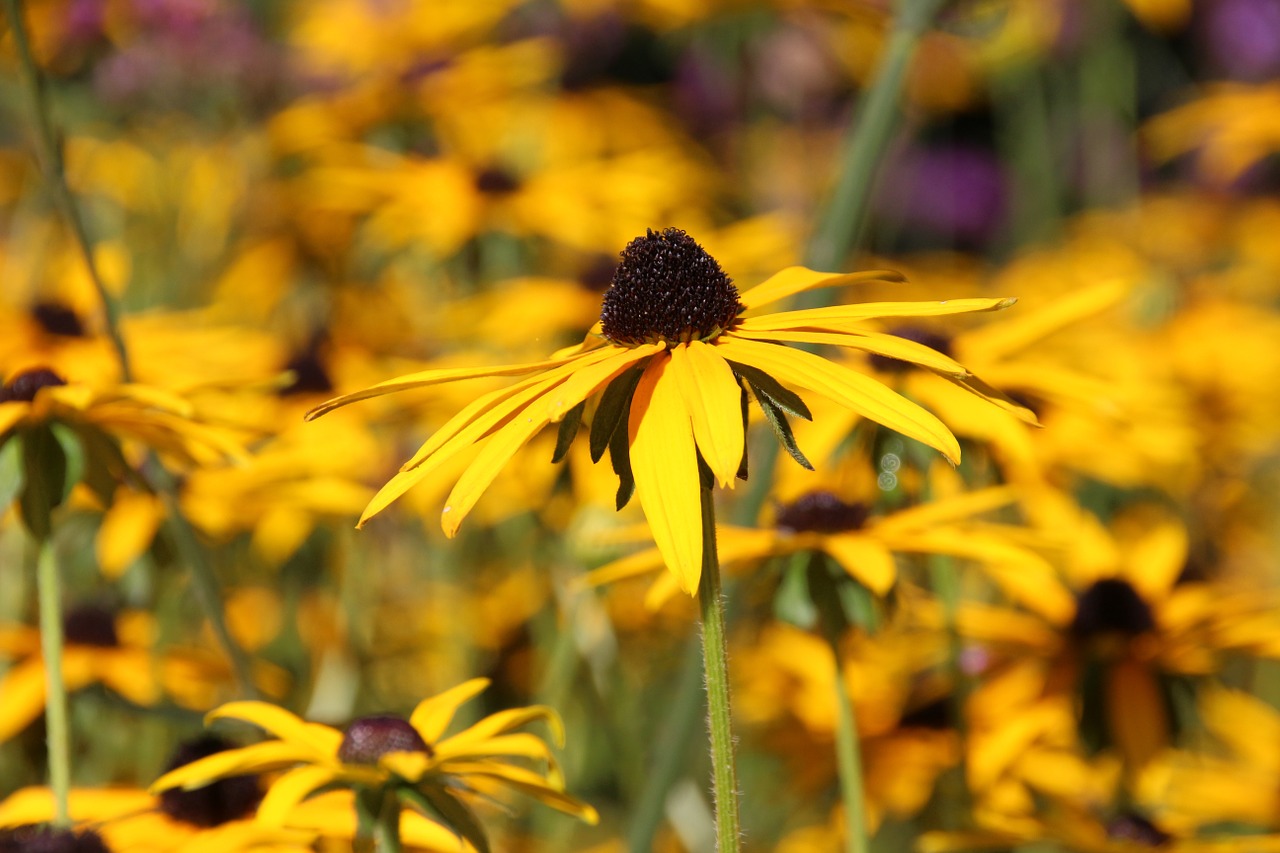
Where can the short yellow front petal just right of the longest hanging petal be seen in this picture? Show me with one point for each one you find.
(714, 400)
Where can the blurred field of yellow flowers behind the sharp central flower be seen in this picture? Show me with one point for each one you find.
(217, 216)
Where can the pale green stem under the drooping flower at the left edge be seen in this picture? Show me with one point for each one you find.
(56, 704)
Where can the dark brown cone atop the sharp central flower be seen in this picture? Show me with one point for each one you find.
(668, 289)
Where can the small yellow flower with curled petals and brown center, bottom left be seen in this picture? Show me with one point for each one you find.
(413, 759)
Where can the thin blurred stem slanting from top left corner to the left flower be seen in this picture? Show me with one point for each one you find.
(51, 158)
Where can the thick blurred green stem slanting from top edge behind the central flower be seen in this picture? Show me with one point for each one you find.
(845, 218)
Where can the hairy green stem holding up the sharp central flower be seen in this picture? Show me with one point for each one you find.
(716, 667)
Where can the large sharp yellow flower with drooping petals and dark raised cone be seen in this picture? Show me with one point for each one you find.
(678, 354)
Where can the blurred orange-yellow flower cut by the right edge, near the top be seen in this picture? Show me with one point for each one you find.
(1232, 126)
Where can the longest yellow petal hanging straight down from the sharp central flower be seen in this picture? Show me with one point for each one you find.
(665, 466)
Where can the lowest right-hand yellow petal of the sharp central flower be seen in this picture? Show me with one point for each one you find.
(851, 389)
